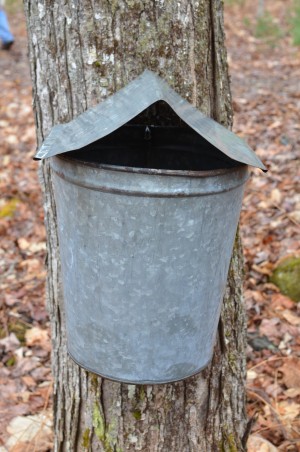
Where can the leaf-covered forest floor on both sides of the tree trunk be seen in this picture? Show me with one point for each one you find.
(266, 99)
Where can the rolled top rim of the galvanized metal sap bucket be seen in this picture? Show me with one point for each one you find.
(153, 171)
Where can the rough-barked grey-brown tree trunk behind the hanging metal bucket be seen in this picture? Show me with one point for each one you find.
(81, 52)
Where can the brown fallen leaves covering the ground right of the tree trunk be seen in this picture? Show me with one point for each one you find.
(265, 86)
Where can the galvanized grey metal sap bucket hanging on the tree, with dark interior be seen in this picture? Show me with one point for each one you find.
(145, 251)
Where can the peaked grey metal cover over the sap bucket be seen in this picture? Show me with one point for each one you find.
(118, 109)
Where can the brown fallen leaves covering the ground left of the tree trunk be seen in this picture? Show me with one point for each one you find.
(25, 376)
